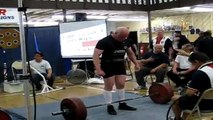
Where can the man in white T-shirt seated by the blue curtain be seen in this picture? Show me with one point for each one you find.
(44, 68)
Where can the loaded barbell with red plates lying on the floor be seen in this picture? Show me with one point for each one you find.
(75, 109)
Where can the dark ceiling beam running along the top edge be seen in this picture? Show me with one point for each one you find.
(133, 6)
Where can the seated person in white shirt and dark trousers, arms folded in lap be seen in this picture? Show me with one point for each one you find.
(182, 70)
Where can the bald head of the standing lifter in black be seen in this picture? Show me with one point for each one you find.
(121, 33)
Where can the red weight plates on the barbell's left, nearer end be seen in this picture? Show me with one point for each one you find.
(76, 109)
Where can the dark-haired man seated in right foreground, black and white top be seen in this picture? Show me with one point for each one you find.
(201, 81)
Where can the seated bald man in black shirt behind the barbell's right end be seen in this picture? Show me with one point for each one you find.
(154, 62)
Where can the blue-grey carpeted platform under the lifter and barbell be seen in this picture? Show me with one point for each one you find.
(147, 110)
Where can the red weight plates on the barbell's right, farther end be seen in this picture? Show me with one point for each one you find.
(160, 93)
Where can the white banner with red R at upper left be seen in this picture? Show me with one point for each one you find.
(9, 15)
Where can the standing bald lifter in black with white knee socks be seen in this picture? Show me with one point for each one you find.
(112, 66)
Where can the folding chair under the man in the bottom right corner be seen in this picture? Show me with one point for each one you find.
(207, 95)
